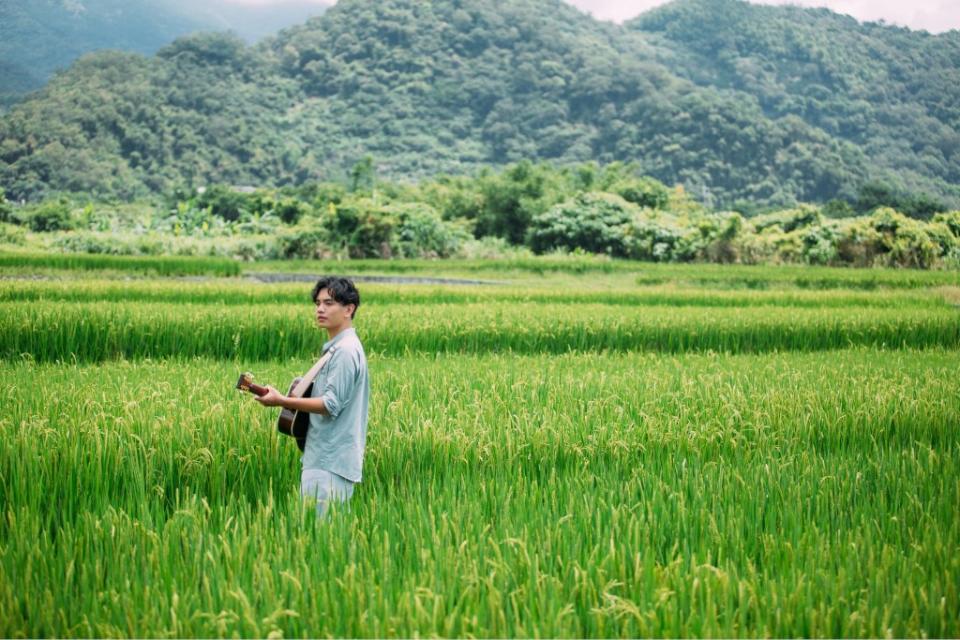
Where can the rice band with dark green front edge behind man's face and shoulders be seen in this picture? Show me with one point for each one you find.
(87, 331)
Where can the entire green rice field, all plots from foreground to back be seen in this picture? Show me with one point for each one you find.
(547, 457)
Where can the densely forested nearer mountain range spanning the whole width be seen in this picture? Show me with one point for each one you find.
(454, 85)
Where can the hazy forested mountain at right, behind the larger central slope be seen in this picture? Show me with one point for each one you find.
(892, 92)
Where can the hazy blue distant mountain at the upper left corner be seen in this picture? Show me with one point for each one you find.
(38, 37)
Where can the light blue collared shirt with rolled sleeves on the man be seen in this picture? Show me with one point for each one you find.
(336, 442)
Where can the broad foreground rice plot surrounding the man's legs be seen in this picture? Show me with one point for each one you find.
(583, 495)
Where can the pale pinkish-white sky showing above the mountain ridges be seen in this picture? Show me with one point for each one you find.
(932, 15)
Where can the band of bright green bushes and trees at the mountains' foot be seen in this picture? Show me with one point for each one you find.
(524, 209)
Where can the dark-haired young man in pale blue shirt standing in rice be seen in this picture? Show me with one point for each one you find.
(333, 455)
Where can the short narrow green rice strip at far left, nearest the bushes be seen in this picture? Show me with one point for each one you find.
(158, 265)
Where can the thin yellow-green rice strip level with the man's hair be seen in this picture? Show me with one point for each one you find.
(233, 292)
